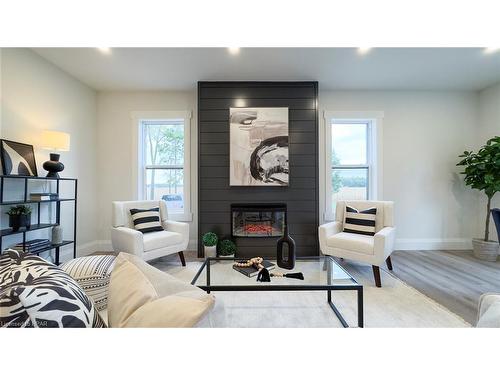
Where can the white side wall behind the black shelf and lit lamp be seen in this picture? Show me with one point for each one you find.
(36, 95)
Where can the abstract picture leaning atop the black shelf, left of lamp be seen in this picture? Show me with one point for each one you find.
(17, 158)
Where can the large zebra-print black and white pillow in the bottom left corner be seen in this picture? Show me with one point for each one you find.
(36, 293)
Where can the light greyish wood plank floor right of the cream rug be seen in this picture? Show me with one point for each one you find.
(455, 279)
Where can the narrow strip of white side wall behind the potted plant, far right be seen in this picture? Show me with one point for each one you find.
(489, 126)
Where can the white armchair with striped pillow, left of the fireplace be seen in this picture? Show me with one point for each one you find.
(174, 239)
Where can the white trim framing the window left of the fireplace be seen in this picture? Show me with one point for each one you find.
(138, 163)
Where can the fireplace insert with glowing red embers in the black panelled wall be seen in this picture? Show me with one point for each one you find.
(258, 220)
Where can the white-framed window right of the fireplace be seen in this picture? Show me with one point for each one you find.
(351, 159)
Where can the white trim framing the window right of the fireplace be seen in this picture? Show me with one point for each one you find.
(374, 155)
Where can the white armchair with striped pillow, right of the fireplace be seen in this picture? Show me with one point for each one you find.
(373, 250)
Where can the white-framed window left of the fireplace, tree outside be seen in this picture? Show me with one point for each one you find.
(164, 161)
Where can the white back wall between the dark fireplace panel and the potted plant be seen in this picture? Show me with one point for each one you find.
(423, 133)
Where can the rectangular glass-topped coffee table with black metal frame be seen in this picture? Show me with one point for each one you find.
(320, 273)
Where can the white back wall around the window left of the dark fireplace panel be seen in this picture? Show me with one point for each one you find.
(115, 148)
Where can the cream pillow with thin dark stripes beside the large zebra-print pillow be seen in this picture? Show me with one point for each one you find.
(92, 273)
